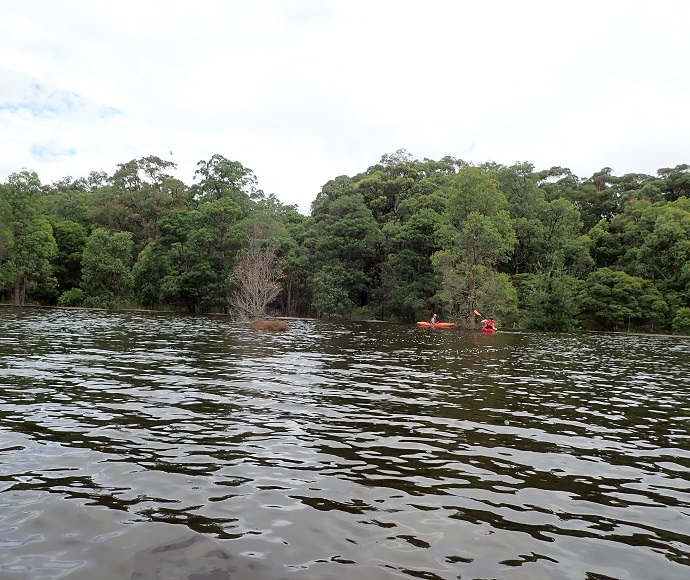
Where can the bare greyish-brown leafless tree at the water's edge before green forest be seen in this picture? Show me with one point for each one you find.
(256, 278)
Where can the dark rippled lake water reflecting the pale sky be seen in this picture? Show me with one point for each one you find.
(164, 446)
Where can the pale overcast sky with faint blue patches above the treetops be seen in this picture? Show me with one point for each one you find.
(302, 91)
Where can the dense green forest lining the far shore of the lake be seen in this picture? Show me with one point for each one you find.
(534, 249)
